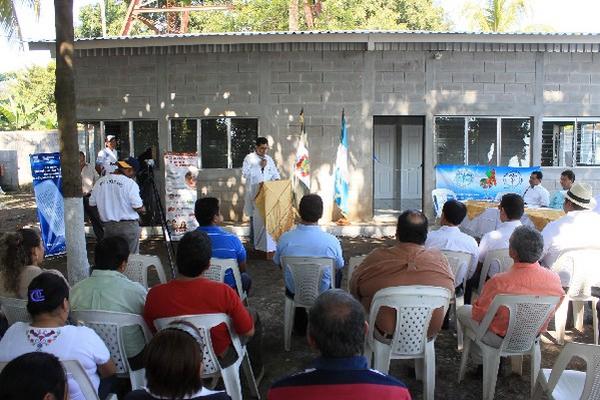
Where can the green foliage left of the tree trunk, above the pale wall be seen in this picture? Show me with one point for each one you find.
(29, 103)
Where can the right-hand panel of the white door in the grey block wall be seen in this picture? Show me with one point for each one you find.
(411, 162)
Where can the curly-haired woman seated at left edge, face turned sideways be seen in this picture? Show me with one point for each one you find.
(21, 254)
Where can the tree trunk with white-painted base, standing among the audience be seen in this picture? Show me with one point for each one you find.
(64, 92)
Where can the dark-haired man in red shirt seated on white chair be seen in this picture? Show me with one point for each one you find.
(190, 293)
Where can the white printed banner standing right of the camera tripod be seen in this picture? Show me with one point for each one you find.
(181, 174)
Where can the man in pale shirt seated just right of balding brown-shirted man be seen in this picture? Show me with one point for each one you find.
(449, 237)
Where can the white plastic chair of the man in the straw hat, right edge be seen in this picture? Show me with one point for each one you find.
(580, 265)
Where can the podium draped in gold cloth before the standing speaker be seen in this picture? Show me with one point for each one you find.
(273, 213)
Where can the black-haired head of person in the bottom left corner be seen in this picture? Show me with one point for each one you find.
(34, 376)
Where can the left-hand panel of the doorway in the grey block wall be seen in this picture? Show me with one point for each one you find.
(384, 160)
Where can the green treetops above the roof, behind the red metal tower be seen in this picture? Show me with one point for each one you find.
(272, 15)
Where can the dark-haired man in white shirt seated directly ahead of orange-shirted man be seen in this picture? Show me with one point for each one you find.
(511, 210)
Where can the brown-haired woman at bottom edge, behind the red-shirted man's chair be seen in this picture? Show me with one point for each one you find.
(173, 366)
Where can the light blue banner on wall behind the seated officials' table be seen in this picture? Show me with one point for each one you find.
(482, 182)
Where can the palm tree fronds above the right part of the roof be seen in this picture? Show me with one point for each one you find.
(497, 15)
